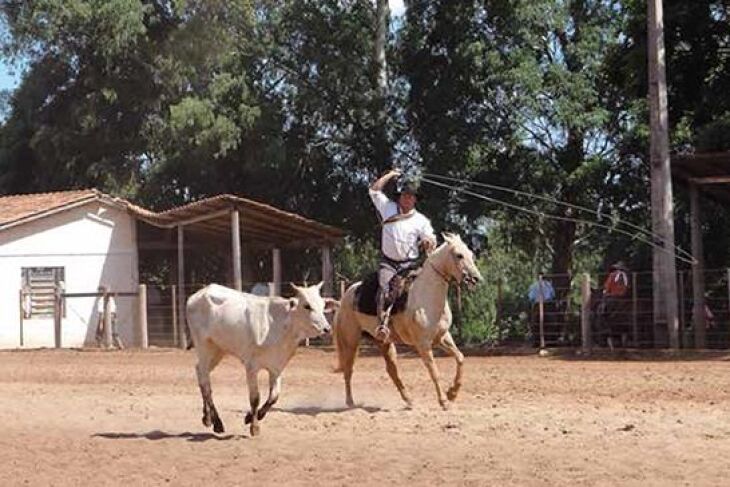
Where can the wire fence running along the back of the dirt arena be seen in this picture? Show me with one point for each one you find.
(553, 311)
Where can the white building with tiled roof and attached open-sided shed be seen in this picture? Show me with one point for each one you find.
(79, 240)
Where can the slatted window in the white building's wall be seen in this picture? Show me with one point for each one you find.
(39, 285)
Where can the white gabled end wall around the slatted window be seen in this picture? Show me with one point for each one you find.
(96, 244)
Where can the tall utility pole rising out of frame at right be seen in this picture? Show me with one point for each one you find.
(664, 273)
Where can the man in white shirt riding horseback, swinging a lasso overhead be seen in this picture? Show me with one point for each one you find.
(404, 231)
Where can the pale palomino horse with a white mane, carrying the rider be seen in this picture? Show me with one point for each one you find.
(423, 324)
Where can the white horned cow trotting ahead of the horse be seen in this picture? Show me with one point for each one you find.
(263, 332)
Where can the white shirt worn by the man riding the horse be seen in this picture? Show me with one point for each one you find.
(400, 238)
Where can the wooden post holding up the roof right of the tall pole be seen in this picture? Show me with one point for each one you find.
(698, 268)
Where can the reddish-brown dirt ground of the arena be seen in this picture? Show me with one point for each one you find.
(133, 418)
